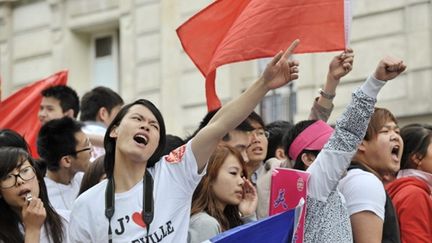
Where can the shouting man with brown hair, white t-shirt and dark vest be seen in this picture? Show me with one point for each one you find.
(371, 212)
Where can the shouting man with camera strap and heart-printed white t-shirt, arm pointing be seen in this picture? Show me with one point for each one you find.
(136, 140)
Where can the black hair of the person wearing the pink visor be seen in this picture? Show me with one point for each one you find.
(289, 137)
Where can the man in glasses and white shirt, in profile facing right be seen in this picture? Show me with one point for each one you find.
(66, 152)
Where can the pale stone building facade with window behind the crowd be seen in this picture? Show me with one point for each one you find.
(131, 46)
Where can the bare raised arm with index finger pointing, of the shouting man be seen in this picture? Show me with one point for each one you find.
(280, 71)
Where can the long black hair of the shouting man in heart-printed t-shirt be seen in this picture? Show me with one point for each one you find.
(110, 143)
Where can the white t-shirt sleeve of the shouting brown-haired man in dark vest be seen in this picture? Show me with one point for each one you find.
(363, 191)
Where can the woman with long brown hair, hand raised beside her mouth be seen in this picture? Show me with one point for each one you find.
(224, 198)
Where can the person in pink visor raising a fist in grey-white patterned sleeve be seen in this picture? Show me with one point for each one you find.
(327, 218)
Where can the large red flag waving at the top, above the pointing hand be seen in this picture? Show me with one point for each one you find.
(236, 30)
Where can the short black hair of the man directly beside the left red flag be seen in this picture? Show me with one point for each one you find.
(66, 95)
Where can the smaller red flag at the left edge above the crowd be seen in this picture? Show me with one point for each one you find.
(19, 111)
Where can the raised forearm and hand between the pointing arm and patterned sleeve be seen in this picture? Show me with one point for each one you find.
(339, 66)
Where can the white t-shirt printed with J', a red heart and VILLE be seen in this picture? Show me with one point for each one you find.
(175, 179)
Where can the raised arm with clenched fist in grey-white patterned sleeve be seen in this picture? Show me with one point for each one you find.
(350, 130)
